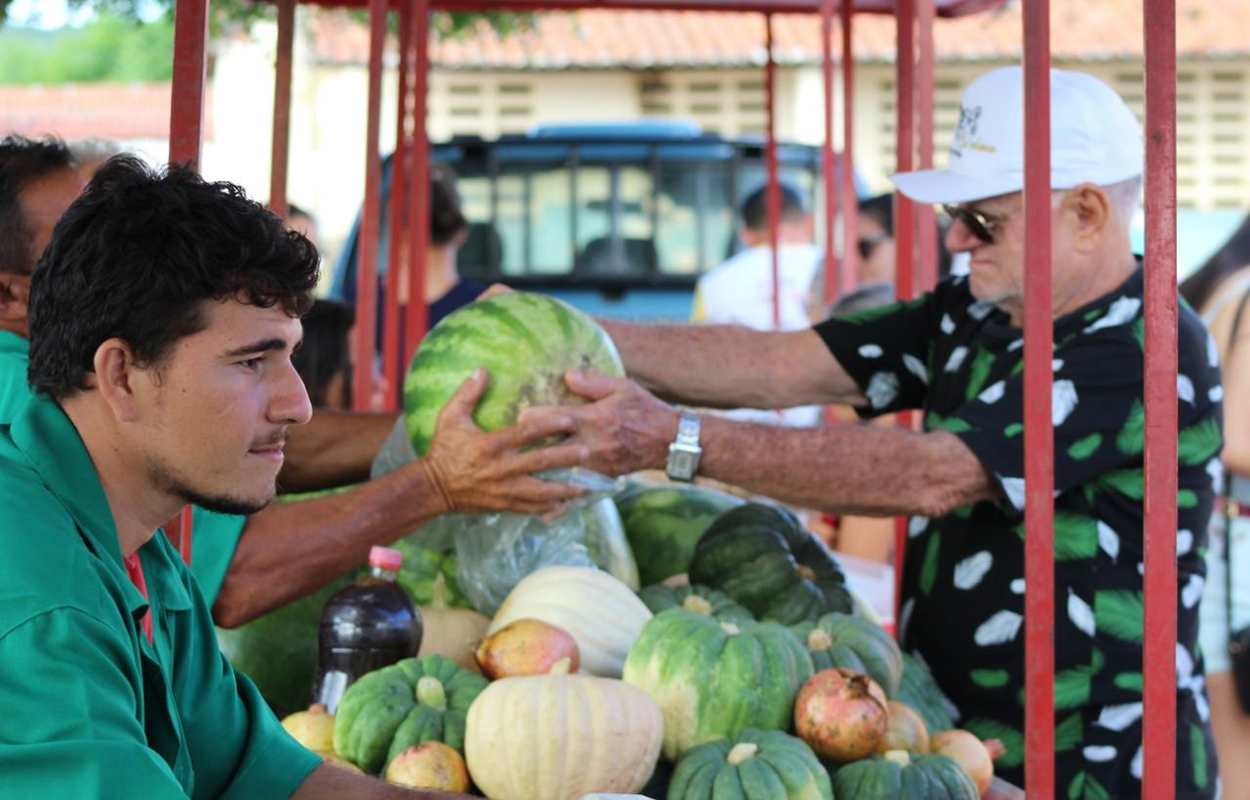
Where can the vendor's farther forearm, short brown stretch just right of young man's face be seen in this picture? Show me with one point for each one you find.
(334, 449)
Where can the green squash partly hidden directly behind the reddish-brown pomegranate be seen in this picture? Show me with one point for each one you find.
(852, 642)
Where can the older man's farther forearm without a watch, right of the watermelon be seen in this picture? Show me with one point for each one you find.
(728, 367)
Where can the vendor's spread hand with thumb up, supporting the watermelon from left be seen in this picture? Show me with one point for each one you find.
(474, 471)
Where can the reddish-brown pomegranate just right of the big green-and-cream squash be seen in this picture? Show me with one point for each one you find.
(842, 714)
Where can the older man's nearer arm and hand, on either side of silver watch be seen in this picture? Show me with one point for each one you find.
(848, 469)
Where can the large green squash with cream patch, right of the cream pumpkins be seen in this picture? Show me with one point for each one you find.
(714, 679)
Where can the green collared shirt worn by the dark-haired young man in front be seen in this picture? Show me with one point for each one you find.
(96, 709)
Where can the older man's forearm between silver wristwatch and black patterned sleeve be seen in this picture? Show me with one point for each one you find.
(847, 469)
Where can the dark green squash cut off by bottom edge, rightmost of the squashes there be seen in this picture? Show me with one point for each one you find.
(902, 777)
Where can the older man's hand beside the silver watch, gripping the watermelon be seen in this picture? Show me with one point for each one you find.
(624, 427)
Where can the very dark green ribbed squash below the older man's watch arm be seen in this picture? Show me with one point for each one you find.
(762, 557)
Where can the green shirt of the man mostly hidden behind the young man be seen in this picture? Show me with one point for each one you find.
(214, 537)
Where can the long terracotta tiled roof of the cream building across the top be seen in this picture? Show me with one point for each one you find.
(588, 39)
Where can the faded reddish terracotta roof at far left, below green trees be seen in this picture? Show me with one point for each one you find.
(91, 111)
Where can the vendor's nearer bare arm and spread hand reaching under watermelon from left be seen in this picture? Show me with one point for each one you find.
(292, 549)
